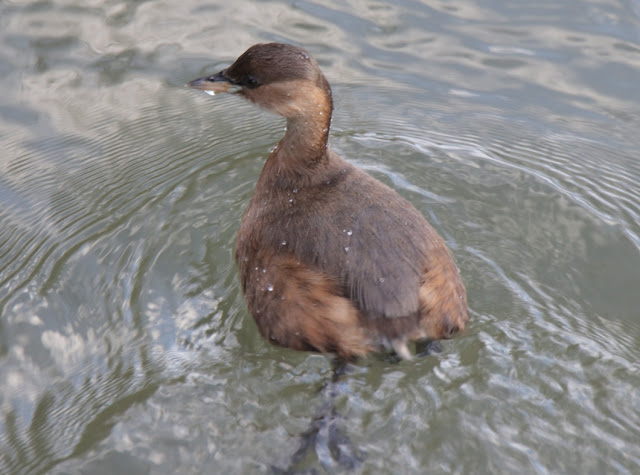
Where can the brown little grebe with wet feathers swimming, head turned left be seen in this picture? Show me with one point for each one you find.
(331, 259)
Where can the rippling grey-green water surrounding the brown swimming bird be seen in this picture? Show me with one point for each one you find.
(124, 340)
